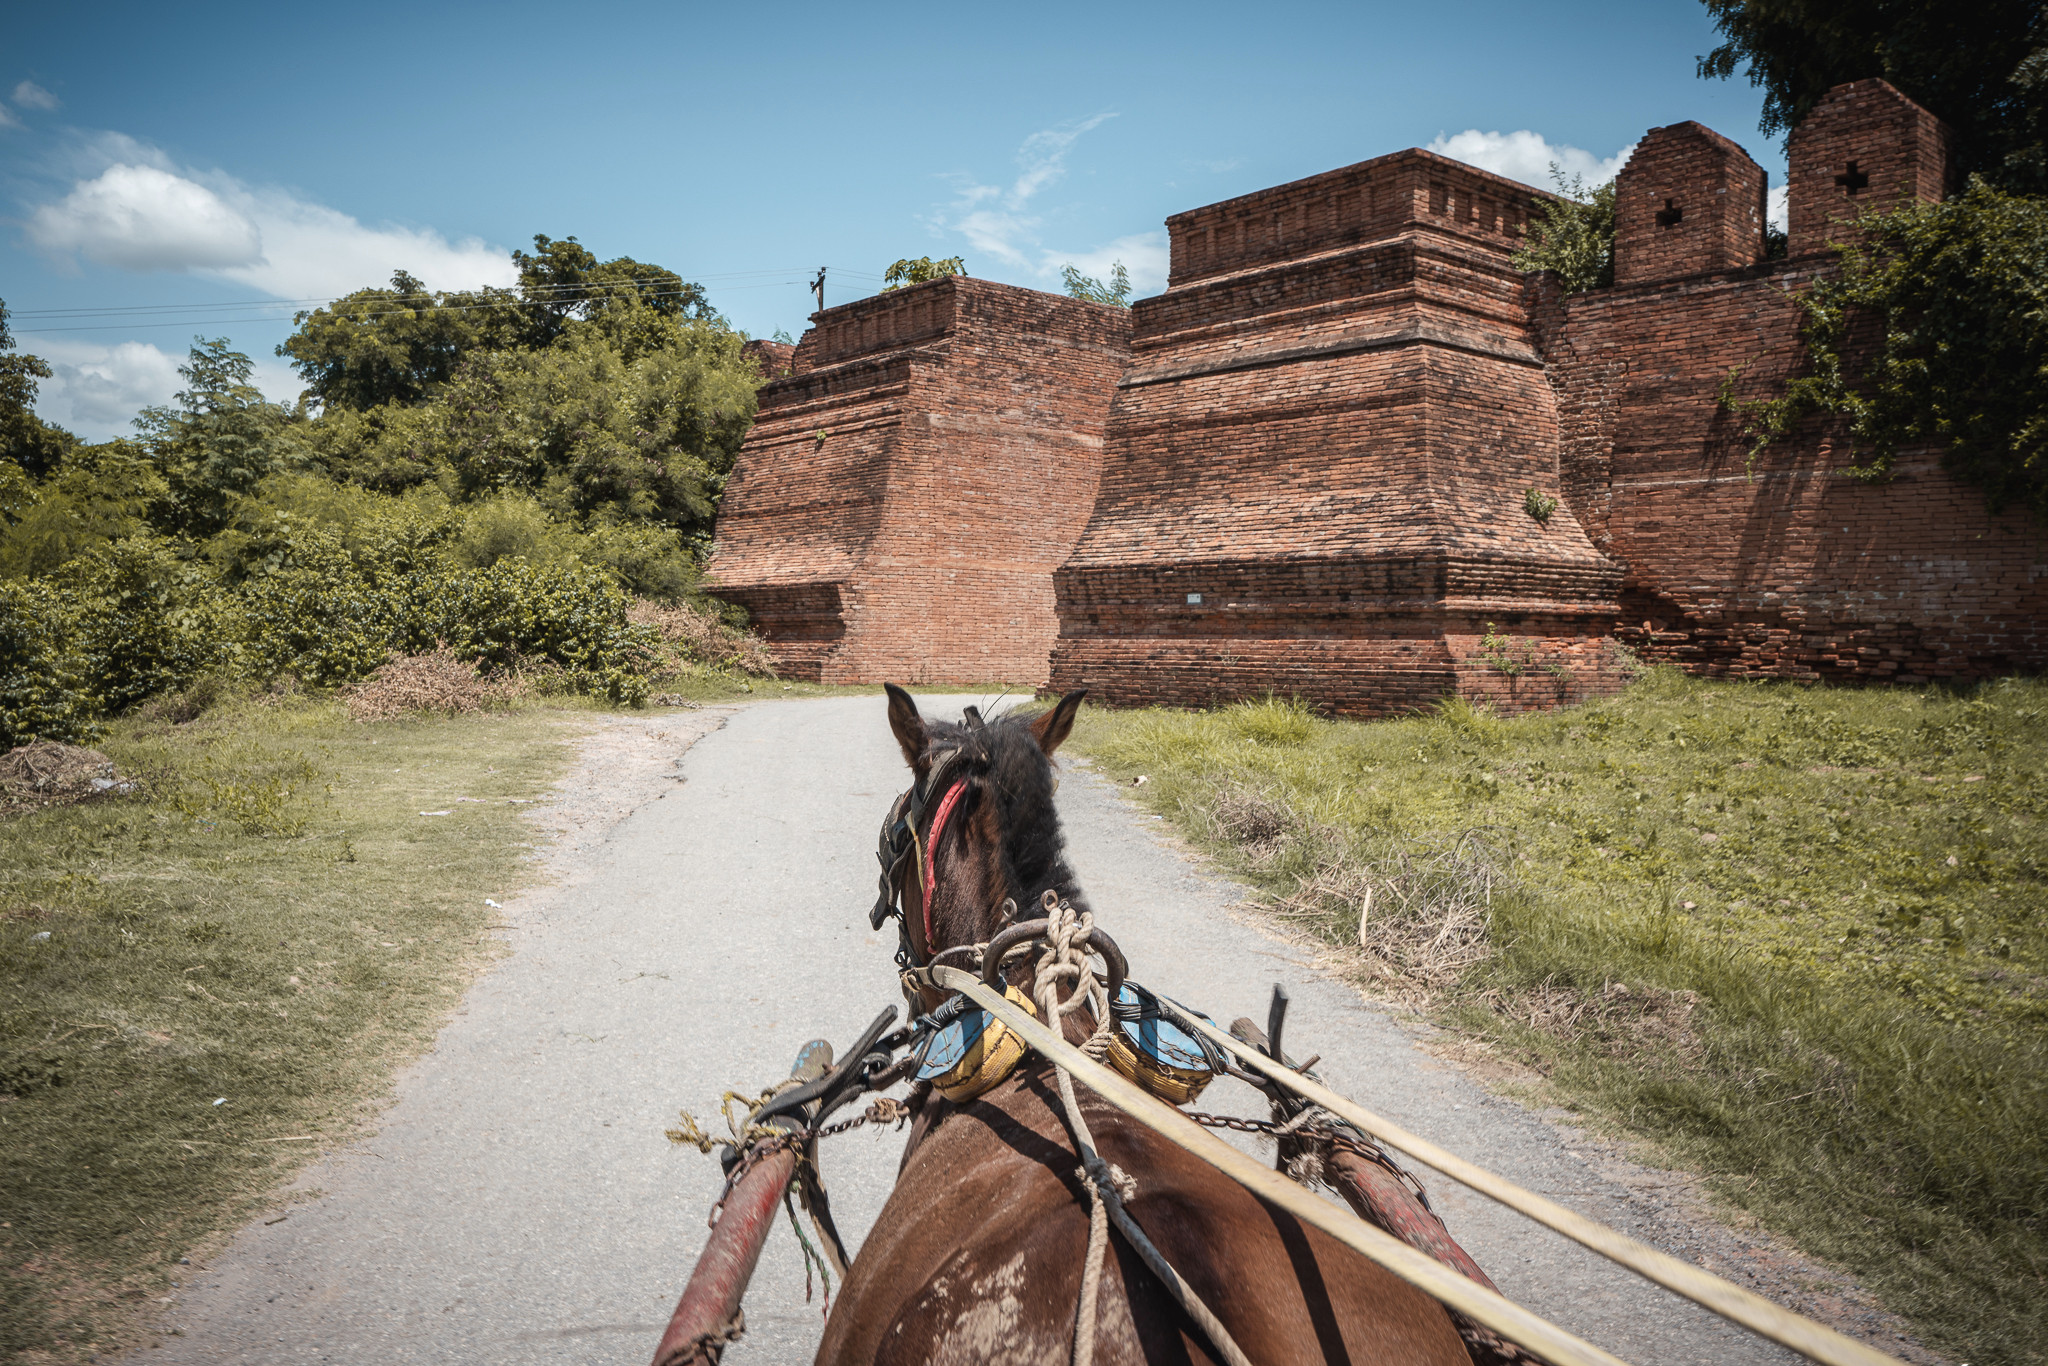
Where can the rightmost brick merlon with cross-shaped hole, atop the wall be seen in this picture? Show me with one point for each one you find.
(1865, 148)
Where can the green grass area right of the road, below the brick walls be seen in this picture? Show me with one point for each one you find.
(1795, 937)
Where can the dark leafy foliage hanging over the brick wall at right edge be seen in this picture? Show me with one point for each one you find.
(1959, 294)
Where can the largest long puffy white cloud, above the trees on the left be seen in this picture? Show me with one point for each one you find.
(144, 216)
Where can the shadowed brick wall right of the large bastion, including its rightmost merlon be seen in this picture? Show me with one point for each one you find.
(1789, 570)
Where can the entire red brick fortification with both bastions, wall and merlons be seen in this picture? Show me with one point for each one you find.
(1322, 462)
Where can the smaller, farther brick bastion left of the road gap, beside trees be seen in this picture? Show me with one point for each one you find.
(912, 482)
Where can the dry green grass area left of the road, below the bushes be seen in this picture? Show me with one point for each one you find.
(271, 925)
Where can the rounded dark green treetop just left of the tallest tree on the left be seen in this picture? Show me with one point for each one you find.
(396, 345)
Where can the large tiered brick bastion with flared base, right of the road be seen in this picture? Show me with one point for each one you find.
(1318, 468)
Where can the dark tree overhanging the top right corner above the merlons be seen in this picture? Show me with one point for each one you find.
(1981, 67)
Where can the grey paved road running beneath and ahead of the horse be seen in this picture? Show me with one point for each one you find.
(521, 1205)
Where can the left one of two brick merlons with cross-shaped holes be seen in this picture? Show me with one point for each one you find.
(1689, 202)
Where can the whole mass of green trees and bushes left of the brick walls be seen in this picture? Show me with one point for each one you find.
(495, 470)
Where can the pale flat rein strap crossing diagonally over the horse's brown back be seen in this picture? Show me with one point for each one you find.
(1435, 1279)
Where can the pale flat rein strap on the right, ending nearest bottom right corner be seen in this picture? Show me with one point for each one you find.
(1701, 1287)
